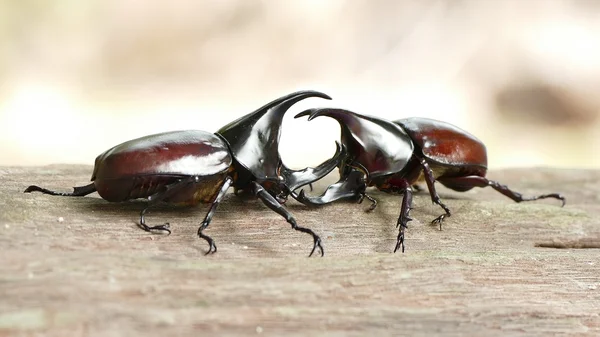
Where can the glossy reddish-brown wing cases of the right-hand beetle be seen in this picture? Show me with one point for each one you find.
(445, 143)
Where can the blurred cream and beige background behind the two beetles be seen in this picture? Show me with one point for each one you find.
(77, 77)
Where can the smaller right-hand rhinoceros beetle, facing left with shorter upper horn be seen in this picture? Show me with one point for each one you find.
(393, 156)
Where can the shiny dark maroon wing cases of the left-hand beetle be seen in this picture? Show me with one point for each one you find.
(183, 153)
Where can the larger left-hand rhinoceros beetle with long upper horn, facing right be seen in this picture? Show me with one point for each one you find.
(189, 167)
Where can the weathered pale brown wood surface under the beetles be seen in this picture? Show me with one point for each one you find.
(95, 273)
